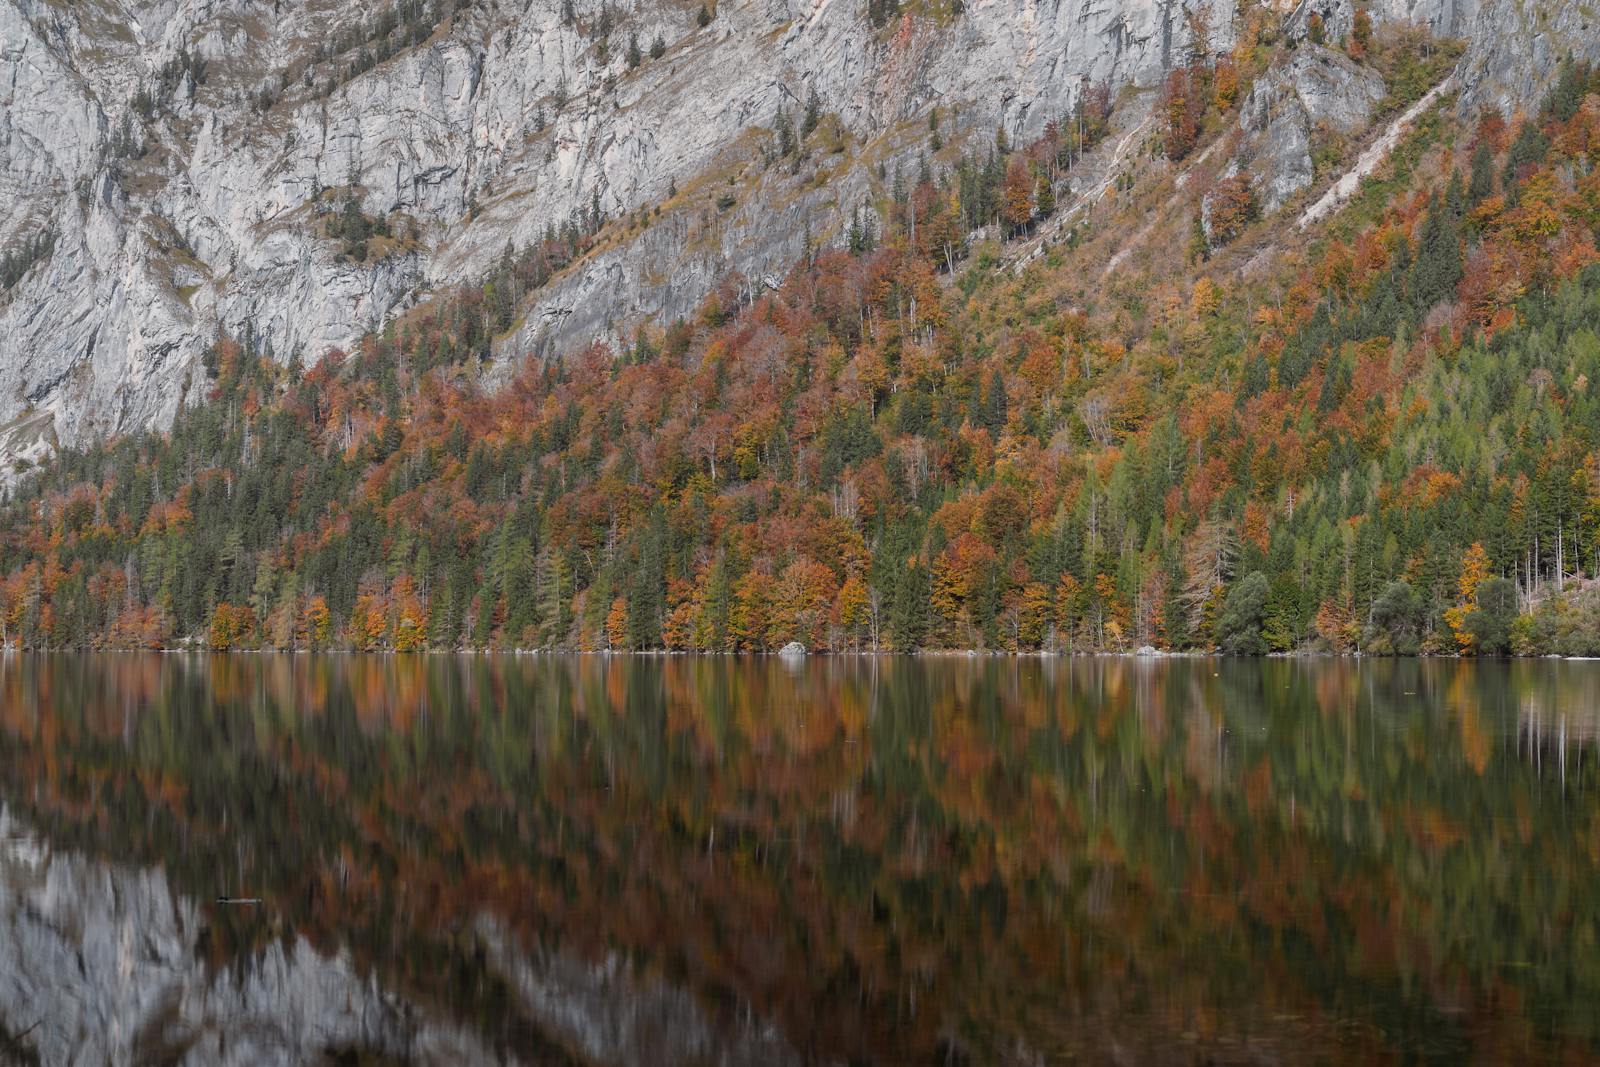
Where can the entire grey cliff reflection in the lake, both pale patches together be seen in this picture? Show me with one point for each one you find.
(103, 967)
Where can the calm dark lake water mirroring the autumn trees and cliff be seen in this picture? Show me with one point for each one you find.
(434, 860)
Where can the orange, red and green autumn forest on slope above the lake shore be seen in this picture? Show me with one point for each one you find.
(954, 430)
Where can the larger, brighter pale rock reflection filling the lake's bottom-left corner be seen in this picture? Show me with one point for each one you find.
(103, 970)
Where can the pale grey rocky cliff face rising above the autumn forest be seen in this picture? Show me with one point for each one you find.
(188, 156)
